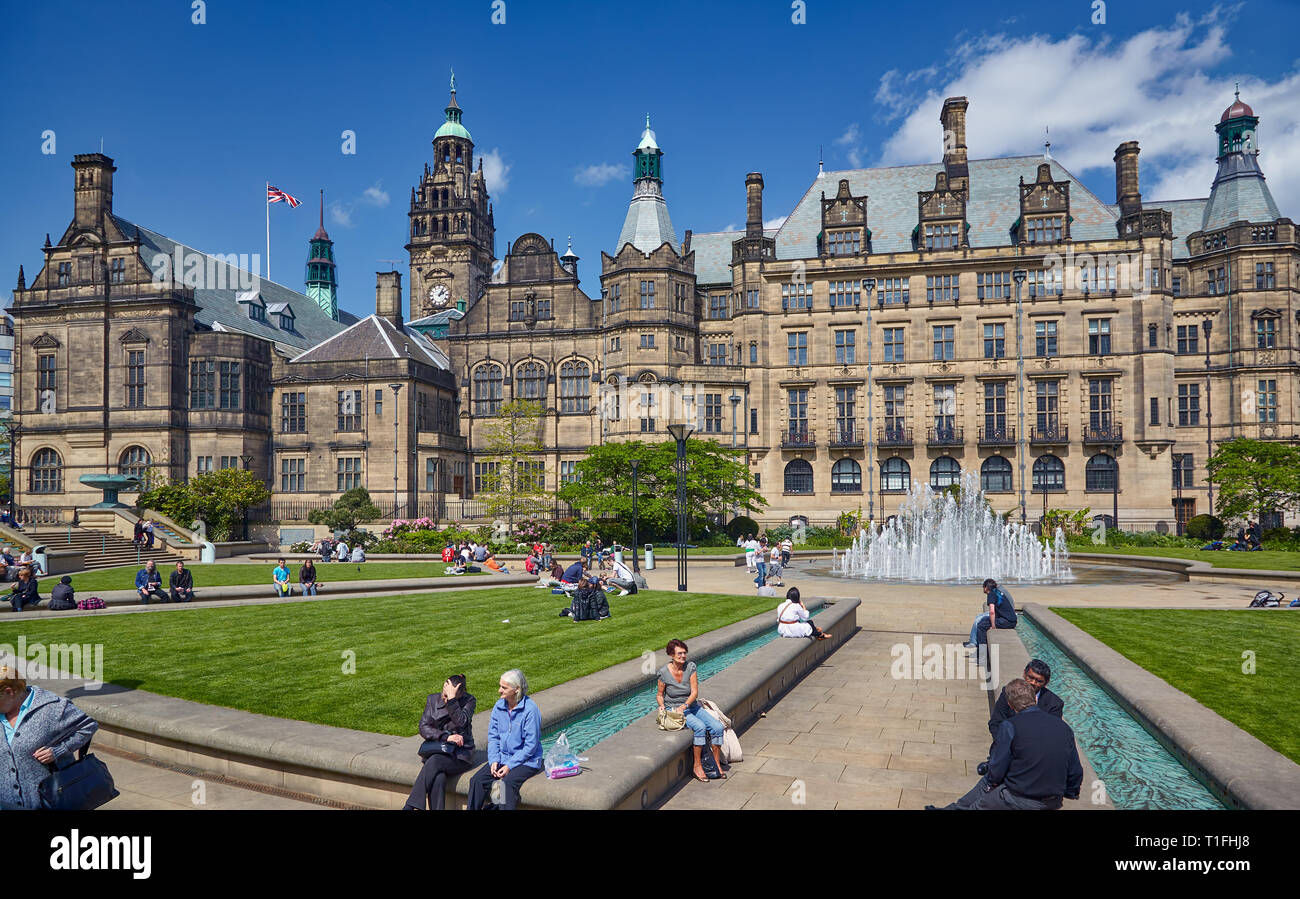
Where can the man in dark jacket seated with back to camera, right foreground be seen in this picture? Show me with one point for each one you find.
(1034, 763)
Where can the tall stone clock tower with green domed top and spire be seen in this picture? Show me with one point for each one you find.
(452, 232)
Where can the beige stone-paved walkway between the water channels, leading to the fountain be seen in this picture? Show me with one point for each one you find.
(851, 736)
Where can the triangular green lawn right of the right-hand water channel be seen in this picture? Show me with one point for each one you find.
(1201, 653)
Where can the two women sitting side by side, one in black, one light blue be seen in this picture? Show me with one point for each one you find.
(514, 745)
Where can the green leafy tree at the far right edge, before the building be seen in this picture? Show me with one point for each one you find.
(1255, 477)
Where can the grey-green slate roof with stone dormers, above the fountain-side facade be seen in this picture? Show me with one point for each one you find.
(994, 207)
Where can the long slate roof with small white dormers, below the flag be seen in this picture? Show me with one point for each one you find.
(311, 323)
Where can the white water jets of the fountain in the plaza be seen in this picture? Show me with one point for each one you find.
(938, 536)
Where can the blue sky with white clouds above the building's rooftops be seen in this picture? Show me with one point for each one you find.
(198, 118)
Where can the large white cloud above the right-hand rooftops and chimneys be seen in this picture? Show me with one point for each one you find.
(1095, 94)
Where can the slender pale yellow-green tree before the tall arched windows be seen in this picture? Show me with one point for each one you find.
(513, 488)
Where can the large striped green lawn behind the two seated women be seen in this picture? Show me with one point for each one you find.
(288, 661)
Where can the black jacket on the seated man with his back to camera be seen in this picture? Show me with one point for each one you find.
(1035, 757)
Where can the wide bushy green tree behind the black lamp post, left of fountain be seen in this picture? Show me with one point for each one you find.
(718, 480)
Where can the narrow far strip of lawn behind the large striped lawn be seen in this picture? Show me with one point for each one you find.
(232, 575)
